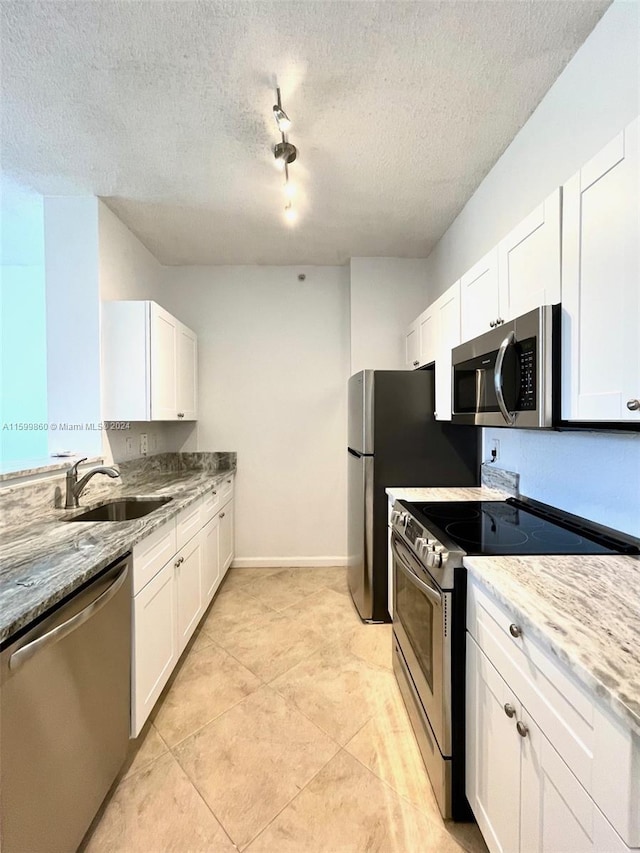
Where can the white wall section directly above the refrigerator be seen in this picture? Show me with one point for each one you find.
(386, 295)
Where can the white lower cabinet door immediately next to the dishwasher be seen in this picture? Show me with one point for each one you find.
(155, 651)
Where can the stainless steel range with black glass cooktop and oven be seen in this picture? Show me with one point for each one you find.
(428, 544)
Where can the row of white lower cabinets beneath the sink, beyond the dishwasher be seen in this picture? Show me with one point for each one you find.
(177, 570)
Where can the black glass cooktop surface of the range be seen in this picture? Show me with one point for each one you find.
(507, 527)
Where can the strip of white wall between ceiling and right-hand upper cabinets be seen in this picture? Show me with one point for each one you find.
(596, 95)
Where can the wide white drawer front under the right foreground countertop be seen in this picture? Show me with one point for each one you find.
(599, 752)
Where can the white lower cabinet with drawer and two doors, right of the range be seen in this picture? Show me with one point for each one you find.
(532, 779)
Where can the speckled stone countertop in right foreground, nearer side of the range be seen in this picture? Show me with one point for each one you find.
(584, 610)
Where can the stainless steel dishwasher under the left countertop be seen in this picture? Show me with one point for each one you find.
(64, 716)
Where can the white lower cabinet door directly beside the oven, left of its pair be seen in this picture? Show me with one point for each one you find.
(493, 753)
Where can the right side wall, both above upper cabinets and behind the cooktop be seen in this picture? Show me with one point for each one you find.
(596, 475)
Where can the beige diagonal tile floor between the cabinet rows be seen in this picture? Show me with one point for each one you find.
(282, 731)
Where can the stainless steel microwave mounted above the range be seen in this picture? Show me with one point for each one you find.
(506, 377)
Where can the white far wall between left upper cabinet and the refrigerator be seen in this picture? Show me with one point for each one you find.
(274, 363)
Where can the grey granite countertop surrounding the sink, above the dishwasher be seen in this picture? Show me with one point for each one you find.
(45, 561)
